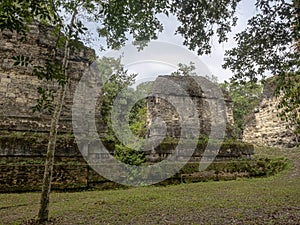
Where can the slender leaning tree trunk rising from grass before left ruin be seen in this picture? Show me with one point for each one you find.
(43, 213)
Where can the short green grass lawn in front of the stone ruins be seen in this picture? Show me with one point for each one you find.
(272, 200)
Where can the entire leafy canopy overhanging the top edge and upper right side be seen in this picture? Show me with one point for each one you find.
(269, 44)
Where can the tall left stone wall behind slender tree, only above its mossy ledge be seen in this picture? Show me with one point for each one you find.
(18, 88)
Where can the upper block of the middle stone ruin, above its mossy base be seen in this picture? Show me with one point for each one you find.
(174, 100)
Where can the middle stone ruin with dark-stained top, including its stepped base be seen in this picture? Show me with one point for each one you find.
(169, 107)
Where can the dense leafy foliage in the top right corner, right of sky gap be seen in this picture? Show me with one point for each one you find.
(265, 44)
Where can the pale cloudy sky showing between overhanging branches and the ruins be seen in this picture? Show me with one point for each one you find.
(162, 56)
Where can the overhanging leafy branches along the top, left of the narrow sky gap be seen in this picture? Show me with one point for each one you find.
(136, 18)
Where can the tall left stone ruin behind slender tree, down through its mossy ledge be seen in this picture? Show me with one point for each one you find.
(24, 132)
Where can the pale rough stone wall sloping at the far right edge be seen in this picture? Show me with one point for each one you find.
(264, 126)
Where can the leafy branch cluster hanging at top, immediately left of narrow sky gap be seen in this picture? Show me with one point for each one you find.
(200, 20)
